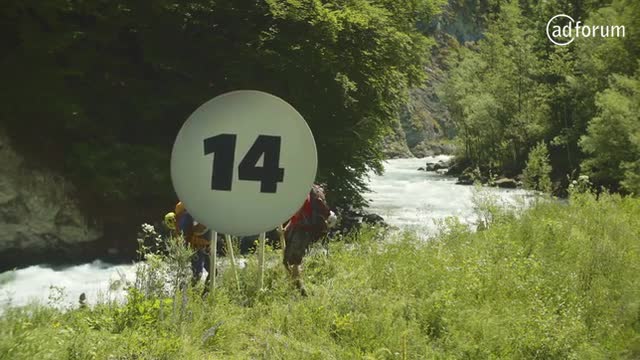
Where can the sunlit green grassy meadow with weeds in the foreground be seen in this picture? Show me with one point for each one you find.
(559, 281)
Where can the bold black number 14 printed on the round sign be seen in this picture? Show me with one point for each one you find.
(224, 146)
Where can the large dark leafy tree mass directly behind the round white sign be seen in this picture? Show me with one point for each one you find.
(113, 82)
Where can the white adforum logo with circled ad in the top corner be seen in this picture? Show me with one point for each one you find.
(562, 30)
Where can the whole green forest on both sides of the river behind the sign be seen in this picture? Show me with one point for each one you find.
(114, 80)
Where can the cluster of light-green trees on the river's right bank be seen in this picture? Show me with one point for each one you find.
(513, 88)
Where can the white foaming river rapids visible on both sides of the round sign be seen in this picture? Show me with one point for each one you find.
(407, 198)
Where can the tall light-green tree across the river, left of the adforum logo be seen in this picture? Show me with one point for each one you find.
(498, 107)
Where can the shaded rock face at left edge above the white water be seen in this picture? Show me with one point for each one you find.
(40, 220)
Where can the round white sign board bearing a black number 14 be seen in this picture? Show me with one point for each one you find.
(243, 162)
